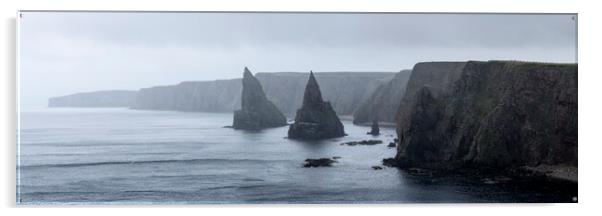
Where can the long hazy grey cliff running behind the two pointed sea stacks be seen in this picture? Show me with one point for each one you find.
(345, 90)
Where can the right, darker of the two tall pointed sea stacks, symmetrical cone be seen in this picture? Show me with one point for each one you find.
(315, 119)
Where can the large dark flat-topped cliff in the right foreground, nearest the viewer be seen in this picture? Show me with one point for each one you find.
(489, 114)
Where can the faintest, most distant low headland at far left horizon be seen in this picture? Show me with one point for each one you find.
(116, 98)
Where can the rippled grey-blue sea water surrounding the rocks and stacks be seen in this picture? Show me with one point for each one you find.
(122, 156)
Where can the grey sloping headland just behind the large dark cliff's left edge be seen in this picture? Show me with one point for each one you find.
(383, 103)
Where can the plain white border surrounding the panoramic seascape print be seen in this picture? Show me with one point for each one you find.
(589, 107)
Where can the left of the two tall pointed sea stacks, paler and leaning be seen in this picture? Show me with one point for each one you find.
(257, 111)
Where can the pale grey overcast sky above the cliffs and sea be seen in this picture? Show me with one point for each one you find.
(63, 53)
